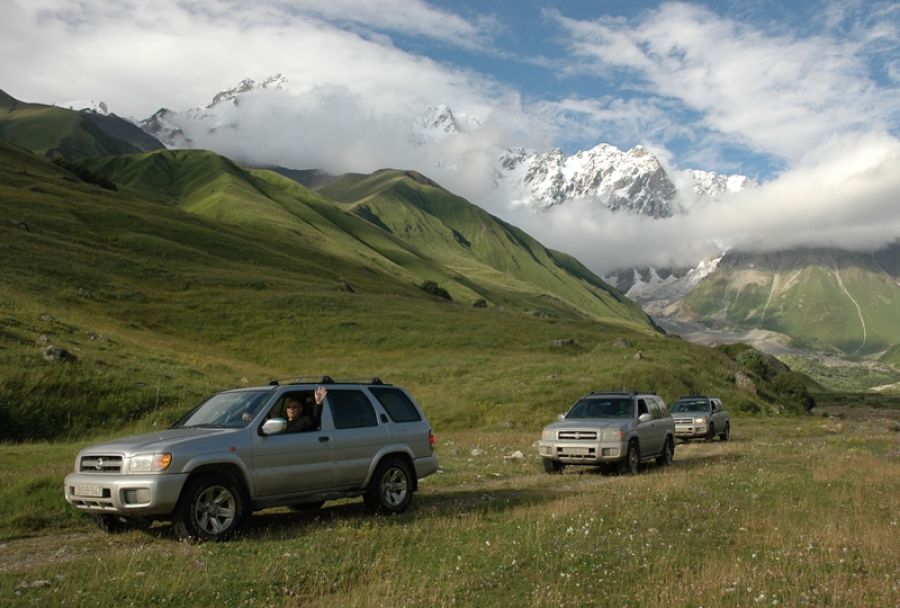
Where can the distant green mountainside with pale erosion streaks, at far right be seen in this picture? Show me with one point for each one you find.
(814, 302)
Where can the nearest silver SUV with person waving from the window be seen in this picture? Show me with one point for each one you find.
(235, 453)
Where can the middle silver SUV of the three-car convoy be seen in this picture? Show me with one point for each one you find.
(620, 429)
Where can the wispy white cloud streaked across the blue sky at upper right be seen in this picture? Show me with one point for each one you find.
(774, 93)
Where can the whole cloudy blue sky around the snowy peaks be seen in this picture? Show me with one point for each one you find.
(801, 96)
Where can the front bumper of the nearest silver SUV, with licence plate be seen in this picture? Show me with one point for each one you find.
(137, 495)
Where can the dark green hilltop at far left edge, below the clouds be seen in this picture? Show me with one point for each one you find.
(53, 131)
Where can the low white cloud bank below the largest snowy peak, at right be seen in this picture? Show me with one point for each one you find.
(844, 196)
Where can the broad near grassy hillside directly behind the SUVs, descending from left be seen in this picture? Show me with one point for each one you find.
(163, 306)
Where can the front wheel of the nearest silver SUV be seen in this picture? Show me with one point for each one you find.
(212, 508)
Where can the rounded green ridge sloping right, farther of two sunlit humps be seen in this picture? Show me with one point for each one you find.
(477, 245)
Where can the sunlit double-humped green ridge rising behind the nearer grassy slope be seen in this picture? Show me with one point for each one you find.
(403, 224)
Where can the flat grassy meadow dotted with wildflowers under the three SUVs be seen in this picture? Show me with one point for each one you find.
(794, 511)
